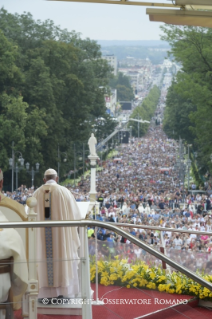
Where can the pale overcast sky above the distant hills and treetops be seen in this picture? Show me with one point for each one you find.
(96, 21)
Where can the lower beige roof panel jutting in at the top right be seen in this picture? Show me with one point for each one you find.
(181, 17)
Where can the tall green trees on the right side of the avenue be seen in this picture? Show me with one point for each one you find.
(189, 100)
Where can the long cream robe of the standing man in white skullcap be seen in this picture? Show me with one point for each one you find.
(57, 245)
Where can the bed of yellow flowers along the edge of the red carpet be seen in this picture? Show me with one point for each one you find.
(140, 275)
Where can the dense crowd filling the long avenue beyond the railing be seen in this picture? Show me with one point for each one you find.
(140, 186)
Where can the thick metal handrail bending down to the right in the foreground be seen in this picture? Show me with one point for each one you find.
(131, 238)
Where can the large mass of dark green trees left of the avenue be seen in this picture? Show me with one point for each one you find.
(50, 90)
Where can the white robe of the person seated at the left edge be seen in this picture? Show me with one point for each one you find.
(11, 245)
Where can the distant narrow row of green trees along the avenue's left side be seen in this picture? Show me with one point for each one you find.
(145, 111)
